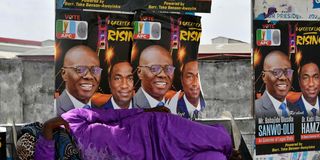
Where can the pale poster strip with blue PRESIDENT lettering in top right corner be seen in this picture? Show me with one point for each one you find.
(286, 10)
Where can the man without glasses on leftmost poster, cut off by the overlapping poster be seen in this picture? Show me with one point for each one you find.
(120, 79)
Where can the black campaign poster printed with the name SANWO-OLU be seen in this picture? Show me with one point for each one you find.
(286, 64)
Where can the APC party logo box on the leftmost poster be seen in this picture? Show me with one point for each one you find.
(71, 29)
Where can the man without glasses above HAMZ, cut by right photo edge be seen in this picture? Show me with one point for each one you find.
(310, 86)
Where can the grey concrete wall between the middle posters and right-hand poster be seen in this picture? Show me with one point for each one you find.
(227, 87)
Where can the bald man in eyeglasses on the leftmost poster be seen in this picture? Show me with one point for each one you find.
(81, 74)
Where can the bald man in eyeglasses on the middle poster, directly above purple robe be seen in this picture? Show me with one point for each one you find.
(155, 71)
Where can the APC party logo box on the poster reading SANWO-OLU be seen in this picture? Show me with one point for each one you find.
(268, 37)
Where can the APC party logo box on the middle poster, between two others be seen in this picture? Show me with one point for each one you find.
(147, 30)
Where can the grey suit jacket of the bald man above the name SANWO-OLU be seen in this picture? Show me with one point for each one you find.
(265, 108)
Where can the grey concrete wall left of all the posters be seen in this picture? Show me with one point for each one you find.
(26, 90)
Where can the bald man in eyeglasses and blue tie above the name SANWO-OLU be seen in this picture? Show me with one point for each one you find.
(277, 76)
